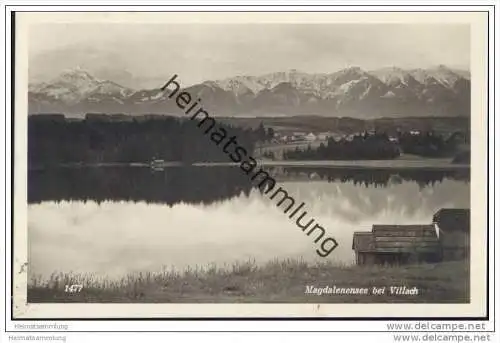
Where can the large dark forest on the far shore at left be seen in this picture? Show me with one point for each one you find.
(54, 140)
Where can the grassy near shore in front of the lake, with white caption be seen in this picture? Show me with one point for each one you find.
(276, 282)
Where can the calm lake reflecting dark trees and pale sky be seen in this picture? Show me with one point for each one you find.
(118, 220)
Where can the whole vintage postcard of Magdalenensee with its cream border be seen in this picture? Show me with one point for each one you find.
(232, 164)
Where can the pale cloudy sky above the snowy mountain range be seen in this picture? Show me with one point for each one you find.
(199, 52)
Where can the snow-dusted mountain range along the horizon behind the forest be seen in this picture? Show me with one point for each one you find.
(351, 92)
